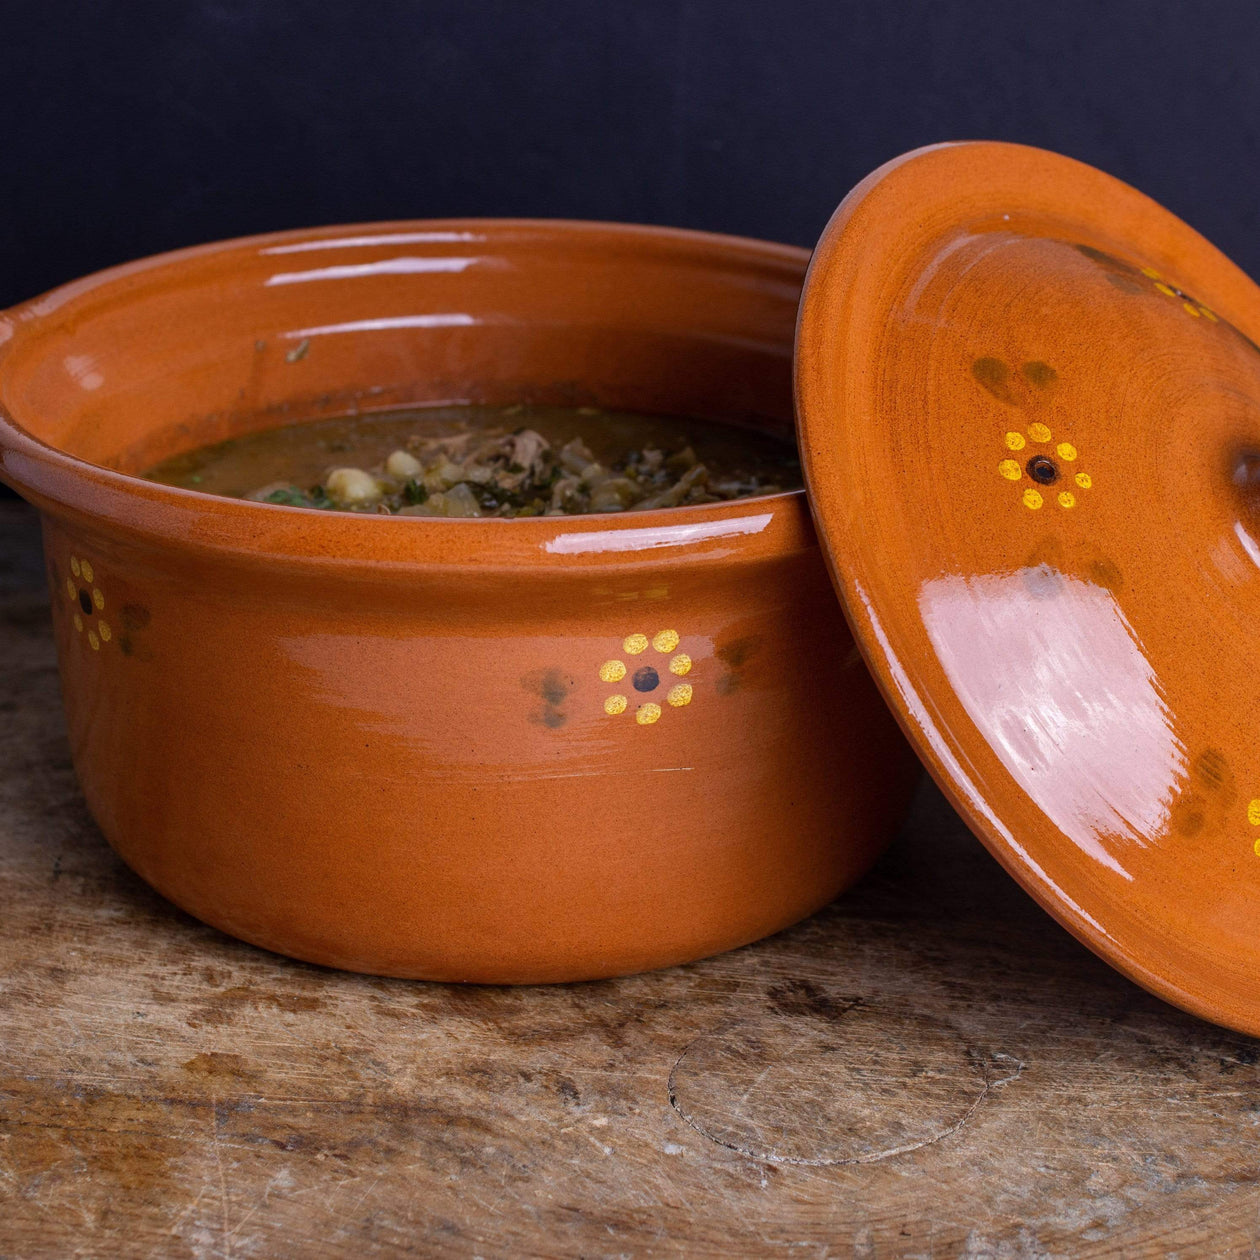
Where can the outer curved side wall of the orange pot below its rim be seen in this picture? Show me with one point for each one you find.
(437, 786)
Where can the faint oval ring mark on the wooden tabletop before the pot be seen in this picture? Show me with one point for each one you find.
(850, 1088)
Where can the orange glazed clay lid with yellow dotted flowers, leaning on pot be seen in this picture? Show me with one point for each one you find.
(1030, 418)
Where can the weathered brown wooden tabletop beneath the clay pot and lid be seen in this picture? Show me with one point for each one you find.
(931, 1068)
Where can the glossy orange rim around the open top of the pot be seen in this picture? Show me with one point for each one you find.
(90, 495)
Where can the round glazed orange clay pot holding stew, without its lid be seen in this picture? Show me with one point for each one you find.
(395, 745)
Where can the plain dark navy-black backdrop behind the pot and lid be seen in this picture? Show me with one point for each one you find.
(130, 127)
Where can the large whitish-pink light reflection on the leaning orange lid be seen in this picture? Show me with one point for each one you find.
(1053, 675)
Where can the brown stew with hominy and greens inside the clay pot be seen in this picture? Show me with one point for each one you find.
(463, 462)
